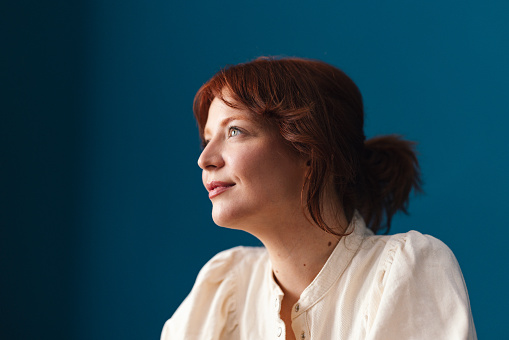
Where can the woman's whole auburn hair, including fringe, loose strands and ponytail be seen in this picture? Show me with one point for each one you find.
(319, 112)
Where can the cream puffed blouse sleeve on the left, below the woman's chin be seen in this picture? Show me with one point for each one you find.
(206, 313)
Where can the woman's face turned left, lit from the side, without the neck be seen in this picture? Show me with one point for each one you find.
(253, 178)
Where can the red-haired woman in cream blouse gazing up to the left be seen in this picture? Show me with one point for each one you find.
(285, 159)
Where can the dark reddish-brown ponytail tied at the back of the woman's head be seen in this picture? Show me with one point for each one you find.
(391, 171)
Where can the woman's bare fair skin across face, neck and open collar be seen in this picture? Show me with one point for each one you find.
(255, 183)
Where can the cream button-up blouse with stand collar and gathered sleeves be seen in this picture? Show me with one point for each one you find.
(405, 286)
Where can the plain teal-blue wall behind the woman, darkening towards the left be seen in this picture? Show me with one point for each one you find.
(104, 221)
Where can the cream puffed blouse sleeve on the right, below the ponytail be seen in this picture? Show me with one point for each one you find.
(420, 294)
